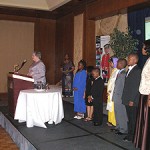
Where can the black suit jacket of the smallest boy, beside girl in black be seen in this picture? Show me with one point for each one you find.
(97, 90)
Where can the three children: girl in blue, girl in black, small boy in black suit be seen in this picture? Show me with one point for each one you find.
(88, 90)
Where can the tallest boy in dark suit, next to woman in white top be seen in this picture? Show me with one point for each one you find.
(130, 96)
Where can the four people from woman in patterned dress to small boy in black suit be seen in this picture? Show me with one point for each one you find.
(88, 89)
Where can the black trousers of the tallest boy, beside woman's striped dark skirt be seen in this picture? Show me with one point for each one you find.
(131, 113)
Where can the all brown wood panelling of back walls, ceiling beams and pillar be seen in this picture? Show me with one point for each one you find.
(56, 37)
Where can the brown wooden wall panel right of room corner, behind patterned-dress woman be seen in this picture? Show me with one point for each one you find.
(64, 41)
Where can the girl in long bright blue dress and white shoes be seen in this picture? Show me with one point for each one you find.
(79, 85)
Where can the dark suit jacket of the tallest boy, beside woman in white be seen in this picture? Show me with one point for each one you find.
(131, 87)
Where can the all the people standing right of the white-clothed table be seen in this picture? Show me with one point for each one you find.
(128, 93)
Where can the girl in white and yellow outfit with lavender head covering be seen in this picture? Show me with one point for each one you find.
(110, 89)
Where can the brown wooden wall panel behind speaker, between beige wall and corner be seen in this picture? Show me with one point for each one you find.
(45, 42)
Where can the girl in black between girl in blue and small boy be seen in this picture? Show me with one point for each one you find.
(89, 105)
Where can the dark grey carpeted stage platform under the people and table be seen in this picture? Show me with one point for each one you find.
(71, 134)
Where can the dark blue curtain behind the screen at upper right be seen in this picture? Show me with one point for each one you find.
(136, 23)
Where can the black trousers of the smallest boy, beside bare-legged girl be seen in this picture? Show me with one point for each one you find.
(98, 112)
